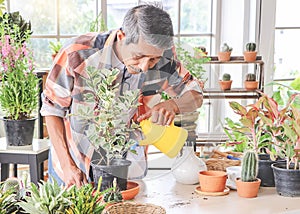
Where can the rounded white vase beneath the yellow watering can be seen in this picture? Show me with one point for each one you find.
(187, 166)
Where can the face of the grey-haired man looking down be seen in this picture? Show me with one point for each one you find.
(140, 57)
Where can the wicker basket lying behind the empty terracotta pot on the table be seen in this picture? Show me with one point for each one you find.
(218, 162)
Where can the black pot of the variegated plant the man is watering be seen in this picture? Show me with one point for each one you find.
(118, 168)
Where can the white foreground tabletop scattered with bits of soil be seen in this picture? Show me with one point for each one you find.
(162, 189)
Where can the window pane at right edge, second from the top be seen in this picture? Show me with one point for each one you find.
(286, 54)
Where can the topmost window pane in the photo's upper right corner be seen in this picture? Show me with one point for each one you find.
(287, 13)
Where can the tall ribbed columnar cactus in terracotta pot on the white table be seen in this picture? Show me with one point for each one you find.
(248, 185)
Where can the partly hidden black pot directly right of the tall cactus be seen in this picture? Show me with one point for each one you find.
(265, 171)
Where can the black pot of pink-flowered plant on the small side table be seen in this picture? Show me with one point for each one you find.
(19, 132)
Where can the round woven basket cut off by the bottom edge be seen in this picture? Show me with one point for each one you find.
(134, 208)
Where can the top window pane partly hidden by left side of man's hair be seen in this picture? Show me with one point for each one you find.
(116, 10)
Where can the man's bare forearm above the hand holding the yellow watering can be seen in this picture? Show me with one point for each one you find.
(188, 102)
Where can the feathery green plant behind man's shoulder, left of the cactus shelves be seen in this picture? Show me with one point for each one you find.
(192, 64)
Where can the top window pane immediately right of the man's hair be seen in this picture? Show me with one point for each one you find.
(195, 16)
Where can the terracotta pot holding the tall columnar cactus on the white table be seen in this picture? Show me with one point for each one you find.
(247, 189)
